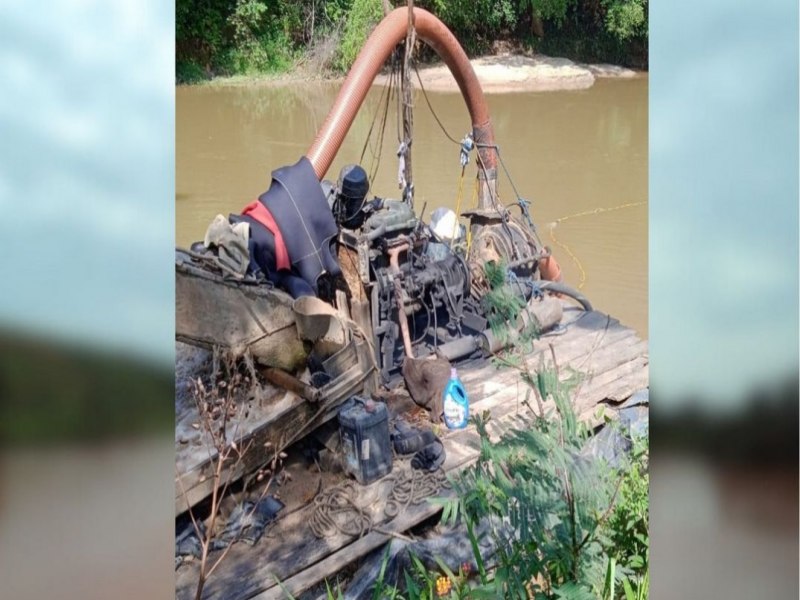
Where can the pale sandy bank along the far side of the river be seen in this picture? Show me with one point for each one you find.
(501, 73)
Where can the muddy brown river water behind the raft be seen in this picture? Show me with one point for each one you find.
(579, 156)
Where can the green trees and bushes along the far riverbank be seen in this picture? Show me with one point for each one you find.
(254, 37)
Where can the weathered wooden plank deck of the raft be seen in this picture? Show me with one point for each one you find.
(613, 360)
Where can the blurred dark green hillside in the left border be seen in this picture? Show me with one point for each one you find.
(60, 392)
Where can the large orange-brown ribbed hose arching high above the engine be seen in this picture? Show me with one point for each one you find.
(377, 49)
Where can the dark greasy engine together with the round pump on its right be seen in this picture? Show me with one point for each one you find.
(424, 294)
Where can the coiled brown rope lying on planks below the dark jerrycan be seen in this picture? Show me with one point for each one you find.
(342, 509)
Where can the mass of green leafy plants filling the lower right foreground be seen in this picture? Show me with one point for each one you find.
(566, 527)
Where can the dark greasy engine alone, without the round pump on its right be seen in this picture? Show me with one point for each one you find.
(414, 280)
